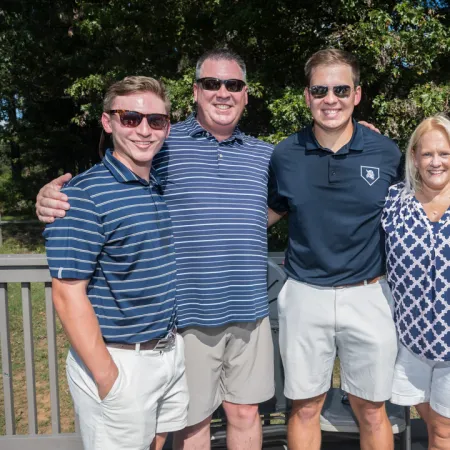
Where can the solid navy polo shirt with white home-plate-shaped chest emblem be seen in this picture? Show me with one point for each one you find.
(334, 201)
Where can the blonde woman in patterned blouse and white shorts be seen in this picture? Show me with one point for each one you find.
(416, 219)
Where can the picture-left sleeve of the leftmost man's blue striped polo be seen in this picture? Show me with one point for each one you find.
(74, 242)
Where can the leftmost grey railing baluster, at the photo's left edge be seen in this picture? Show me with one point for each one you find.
(6, 361)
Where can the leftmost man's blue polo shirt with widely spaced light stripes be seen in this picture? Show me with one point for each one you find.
(118, 234)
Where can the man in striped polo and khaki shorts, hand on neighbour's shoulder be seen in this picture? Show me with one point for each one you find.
(215, 185)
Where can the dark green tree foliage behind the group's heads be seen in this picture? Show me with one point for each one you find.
(58, 56)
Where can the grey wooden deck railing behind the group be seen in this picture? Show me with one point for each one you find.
(27, 269)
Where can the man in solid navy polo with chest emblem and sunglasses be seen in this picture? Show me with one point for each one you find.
(331, 178)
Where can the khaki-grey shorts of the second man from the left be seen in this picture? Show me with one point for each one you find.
(232, 363)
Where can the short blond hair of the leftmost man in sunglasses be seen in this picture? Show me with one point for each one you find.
(131, 85)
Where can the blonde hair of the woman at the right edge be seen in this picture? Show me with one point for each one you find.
(439, 122)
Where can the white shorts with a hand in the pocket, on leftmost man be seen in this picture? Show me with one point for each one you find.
(149, 396)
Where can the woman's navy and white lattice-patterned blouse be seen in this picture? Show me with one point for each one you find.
(418, 271)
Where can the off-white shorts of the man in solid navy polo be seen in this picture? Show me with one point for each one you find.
(355, 323)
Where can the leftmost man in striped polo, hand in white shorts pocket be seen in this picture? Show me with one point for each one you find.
(112, 260)
